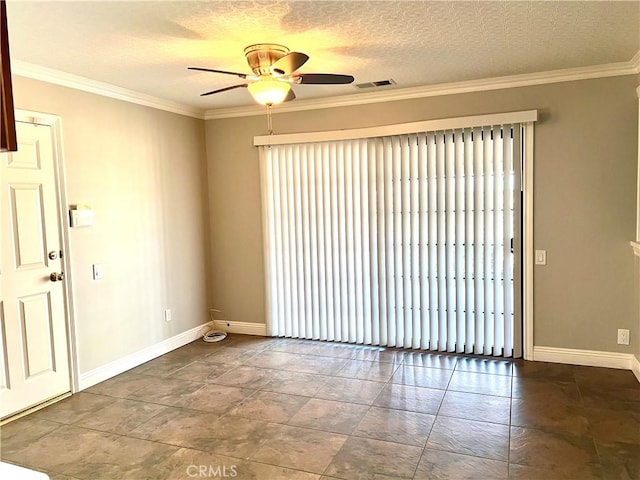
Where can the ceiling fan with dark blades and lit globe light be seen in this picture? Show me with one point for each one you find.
(275, 69)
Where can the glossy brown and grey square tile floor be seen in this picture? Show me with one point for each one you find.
(264, 408)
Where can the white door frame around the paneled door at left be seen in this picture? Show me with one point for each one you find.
(55, 122)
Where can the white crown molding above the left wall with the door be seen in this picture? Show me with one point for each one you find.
(64, 79)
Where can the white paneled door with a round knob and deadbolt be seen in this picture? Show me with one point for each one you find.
(34, 361)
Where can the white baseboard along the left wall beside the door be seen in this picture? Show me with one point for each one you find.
(100, 374)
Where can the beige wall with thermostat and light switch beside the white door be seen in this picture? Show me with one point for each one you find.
(144, 173)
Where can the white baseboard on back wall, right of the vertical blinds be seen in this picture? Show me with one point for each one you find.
(590, 358)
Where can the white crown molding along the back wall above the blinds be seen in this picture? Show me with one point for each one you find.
(511, 81)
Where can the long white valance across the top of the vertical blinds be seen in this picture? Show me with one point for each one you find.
(398, 129)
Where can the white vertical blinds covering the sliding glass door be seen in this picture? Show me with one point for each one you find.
(403, 240)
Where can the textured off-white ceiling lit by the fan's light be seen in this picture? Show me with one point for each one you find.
(147, 46)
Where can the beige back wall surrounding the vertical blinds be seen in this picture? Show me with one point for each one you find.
(585, 195)
